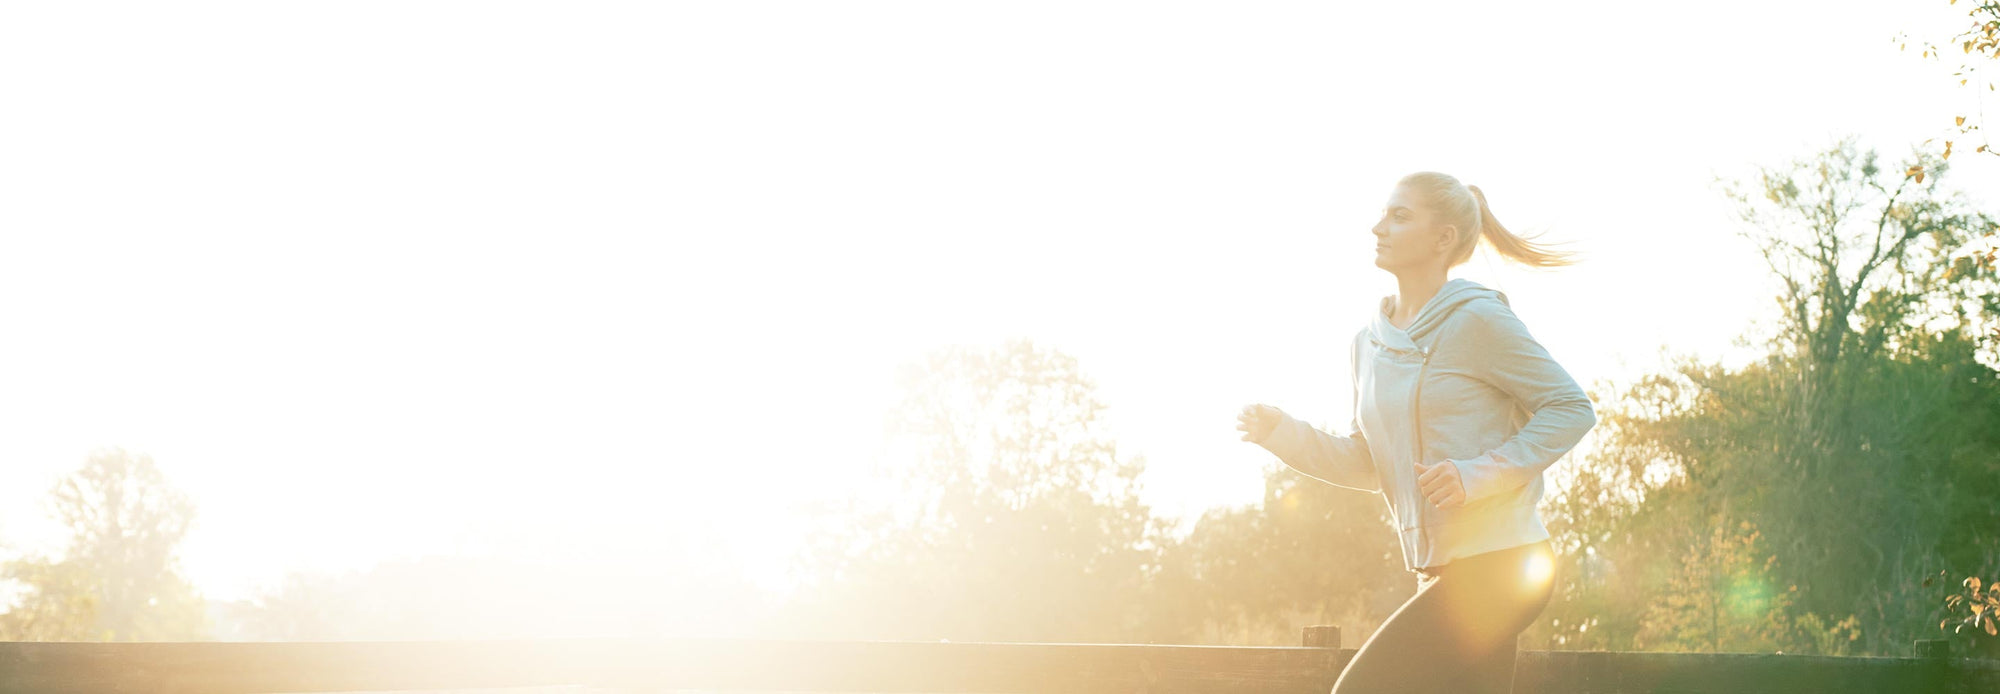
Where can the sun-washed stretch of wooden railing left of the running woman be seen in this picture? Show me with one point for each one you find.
(675, 663)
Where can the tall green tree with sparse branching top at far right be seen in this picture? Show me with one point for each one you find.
(1879, 301)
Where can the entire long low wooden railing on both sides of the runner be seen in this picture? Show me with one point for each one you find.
(903, 667)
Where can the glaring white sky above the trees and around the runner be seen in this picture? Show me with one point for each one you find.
(383, 279)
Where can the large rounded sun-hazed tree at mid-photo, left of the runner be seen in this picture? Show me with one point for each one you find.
(1013, 513)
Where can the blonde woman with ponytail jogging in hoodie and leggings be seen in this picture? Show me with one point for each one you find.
(1457, 413)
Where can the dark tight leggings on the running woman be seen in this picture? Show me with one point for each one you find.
(1461, 629)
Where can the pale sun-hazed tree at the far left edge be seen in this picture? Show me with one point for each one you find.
(119, 577)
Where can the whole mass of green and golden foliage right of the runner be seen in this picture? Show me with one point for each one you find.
(1855, 455)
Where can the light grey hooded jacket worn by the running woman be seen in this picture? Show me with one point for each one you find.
(1469, 385)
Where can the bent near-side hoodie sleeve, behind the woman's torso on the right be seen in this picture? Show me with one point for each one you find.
(1511, 361)
